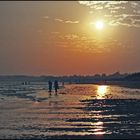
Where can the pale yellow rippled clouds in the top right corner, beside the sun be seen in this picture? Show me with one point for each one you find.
(126, 13)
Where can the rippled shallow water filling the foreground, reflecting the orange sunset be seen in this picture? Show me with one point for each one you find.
(78, 111)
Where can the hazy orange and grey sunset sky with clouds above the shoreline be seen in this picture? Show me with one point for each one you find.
(63, 38)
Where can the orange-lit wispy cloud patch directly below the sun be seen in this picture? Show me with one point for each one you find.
(85, 43)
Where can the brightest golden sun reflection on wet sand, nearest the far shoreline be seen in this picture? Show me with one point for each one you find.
(101, 91)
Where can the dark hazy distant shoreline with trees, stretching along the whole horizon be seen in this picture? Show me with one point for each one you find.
(129, 81)
